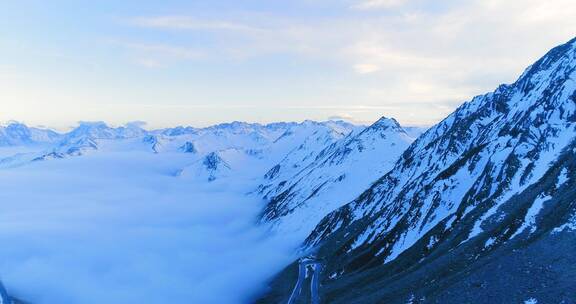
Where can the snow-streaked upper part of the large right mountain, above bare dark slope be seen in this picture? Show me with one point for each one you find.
(507, 135)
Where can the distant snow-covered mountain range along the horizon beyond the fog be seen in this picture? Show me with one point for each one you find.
(253, 146)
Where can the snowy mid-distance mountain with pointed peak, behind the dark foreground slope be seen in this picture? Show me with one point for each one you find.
(323, 181)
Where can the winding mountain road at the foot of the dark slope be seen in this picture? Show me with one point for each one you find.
(308, 269)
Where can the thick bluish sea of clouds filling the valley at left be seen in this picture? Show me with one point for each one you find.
(121, 227)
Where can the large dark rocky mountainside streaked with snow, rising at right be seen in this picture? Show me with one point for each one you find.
(480, 208)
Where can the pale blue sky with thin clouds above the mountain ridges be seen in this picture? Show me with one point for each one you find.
(176, 62)
